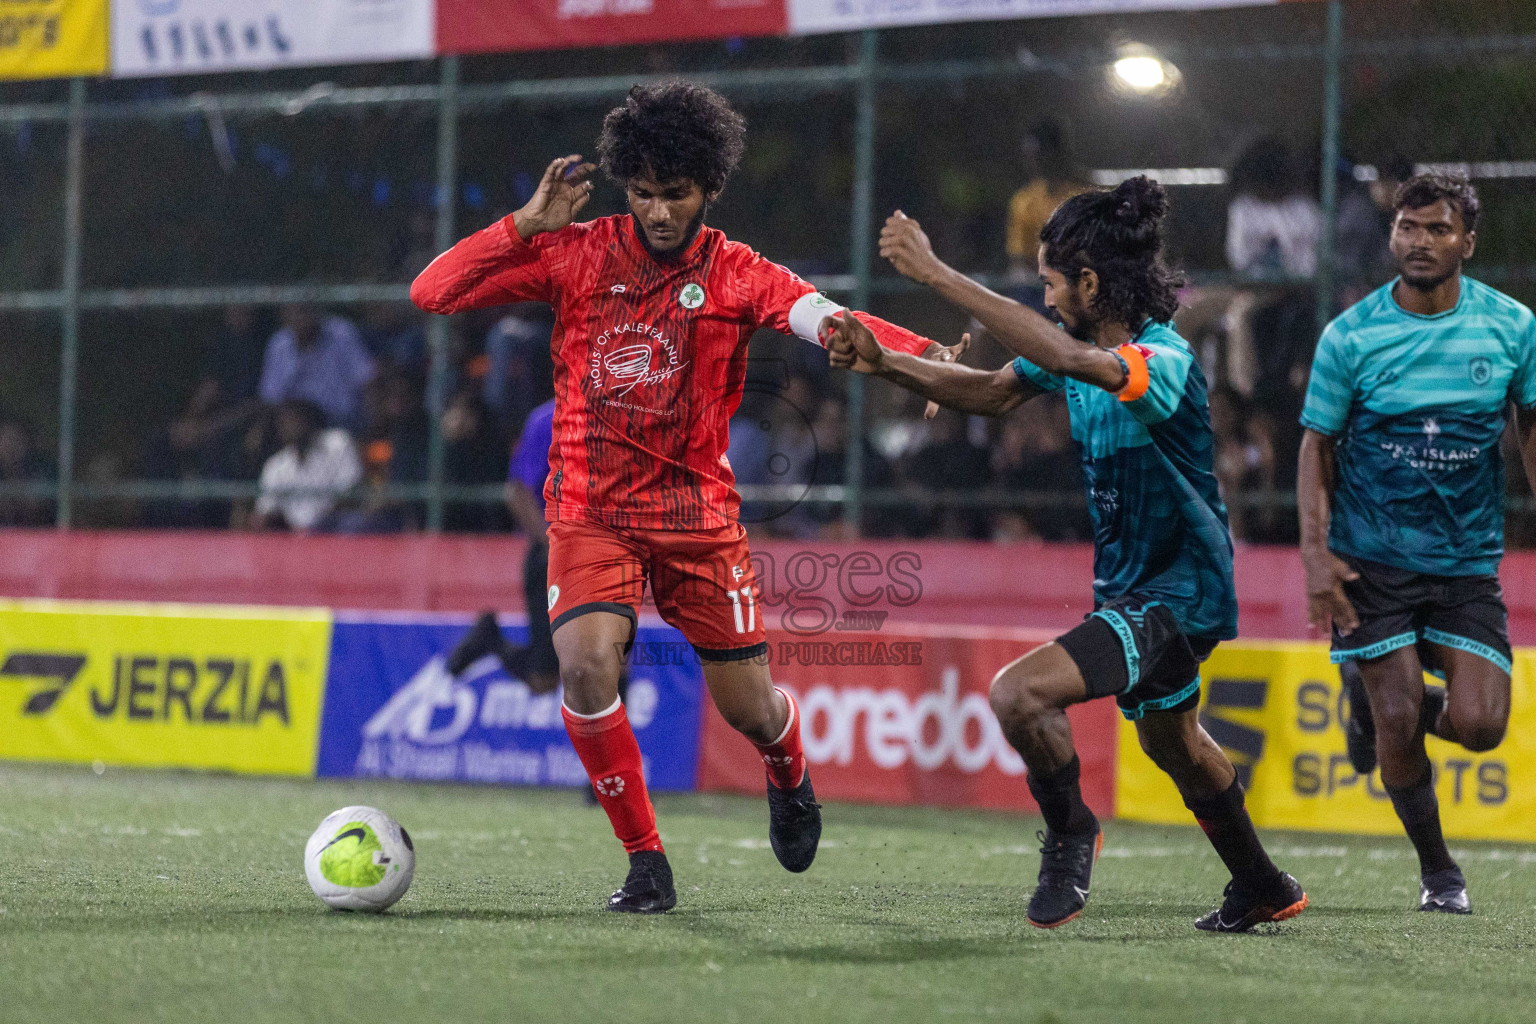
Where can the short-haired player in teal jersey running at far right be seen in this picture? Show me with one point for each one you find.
(1402, 494)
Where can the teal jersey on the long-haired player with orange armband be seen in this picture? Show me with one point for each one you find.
(1160, 529)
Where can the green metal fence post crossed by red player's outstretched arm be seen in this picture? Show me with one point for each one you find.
(861, 259)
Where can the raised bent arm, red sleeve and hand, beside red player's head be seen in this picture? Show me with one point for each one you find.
(497, 266)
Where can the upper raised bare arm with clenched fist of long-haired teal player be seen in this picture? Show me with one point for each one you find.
(1016, 326)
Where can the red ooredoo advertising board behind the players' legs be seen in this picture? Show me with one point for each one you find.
(902, 718)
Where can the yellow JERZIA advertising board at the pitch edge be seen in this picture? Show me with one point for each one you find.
(164, 685)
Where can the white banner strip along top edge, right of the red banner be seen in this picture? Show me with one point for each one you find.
(846, 16)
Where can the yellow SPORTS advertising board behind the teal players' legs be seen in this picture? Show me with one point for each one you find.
(1276, 710)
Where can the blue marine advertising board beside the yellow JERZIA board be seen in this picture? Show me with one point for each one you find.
(394, 712)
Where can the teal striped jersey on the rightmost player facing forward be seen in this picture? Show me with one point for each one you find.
(1417, 406)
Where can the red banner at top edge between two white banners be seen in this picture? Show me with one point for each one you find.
(480, 27)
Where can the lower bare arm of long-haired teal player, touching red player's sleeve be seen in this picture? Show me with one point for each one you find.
(853, 346)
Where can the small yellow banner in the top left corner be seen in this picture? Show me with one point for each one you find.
(53, 39)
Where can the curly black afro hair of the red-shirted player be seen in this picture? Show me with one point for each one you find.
(672, 131)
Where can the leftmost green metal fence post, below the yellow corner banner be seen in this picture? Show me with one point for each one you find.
(70, 315)
